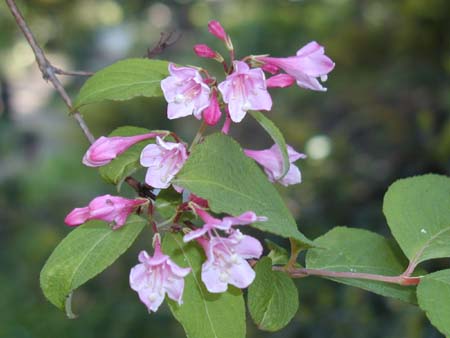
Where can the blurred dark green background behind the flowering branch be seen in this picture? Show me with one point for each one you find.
(385, 116)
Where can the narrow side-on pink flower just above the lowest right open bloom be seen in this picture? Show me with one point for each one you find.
(224, 224)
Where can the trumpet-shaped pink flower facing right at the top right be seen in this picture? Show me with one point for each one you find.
(309, 64)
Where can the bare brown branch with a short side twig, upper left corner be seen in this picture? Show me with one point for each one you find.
(47, 69)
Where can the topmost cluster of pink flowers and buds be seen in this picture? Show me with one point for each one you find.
(245, 87)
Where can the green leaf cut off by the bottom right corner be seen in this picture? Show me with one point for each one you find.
(433, 294)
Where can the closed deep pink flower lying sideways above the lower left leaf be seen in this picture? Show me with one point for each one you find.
(105, 208)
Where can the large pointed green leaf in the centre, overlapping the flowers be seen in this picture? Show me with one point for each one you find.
(218, 171)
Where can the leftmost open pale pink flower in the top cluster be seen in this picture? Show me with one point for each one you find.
(185, 91)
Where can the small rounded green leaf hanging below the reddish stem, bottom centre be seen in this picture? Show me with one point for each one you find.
(272, 297)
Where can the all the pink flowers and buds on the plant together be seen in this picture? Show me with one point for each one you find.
(193, 91)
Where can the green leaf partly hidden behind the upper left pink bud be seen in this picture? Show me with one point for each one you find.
(128, 162)
